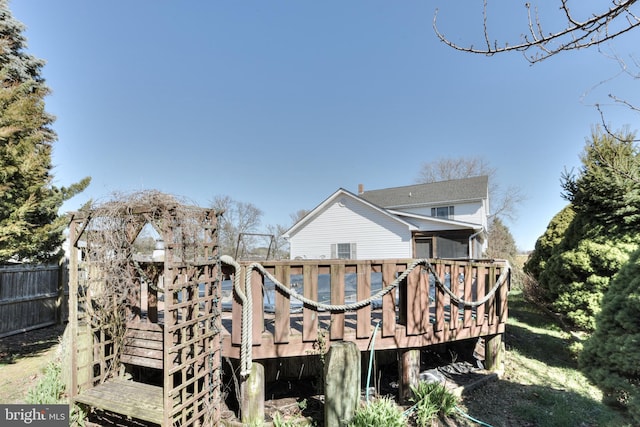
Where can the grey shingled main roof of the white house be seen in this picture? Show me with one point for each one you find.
(455, 190)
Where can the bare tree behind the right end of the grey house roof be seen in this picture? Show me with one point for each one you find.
(503, 201)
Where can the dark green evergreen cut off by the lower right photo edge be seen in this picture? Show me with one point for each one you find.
(610, 357)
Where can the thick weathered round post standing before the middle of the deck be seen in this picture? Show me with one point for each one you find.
(341, 383)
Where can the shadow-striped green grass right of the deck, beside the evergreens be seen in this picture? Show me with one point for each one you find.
(541, 385)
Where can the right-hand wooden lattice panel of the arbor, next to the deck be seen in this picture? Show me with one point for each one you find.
(192, 326)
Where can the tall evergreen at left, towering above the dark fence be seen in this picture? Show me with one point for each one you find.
(30, 227)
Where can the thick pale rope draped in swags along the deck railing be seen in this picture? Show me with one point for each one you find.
(247, 303)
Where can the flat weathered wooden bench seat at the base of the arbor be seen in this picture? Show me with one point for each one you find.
(129, 398)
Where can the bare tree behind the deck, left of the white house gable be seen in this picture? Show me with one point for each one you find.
(238, 217)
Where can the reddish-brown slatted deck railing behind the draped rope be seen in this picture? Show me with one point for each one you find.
(418, 313)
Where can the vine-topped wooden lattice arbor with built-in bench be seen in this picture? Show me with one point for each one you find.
(158, 359)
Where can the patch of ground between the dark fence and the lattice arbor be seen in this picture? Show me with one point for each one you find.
(23, 358)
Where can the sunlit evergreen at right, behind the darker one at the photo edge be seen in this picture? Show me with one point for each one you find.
(587, 243)
